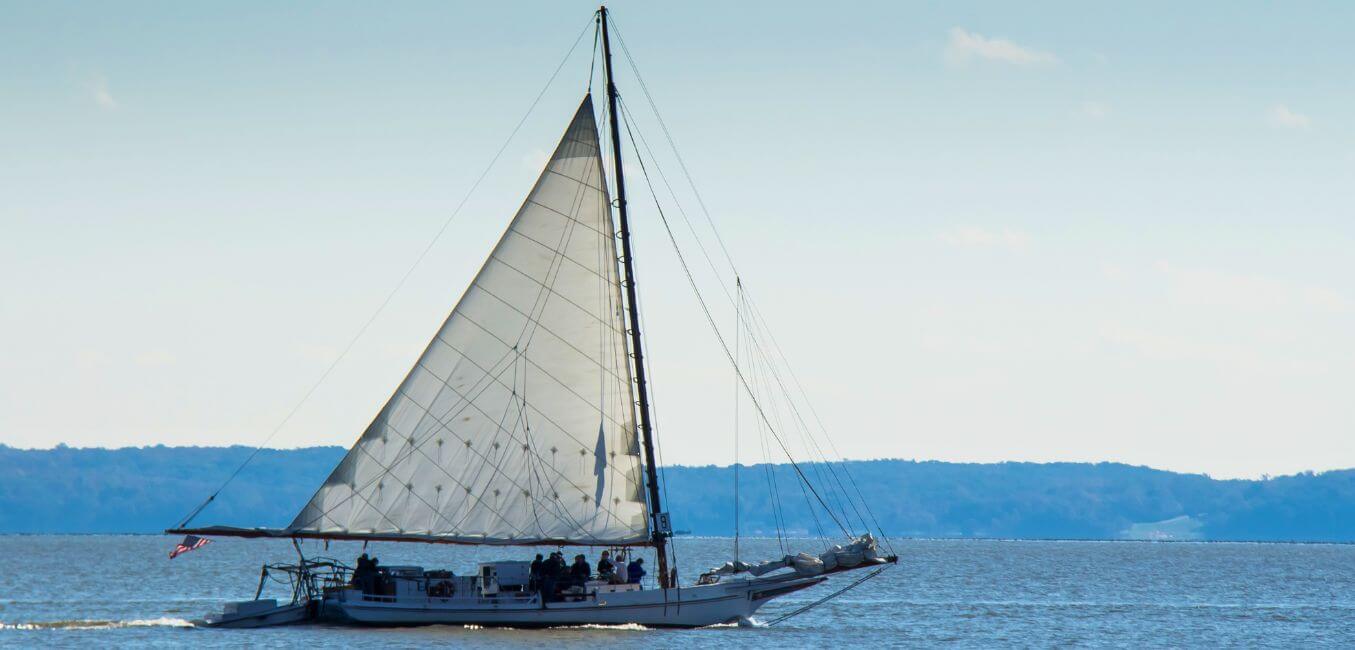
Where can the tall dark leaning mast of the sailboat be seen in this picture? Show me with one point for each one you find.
(647, 433)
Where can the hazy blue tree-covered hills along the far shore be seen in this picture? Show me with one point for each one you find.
(151, 488)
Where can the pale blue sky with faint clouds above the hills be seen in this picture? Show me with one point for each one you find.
(980, 231)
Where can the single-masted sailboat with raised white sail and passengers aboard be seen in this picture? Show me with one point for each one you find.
(526, 422)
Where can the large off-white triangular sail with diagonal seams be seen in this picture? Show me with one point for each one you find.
(517, 426)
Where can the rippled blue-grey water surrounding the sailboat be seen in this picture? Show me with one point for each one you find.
(62, 591)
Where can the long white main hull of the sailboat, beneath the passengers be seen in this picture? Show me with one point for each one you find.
(680, 607)
